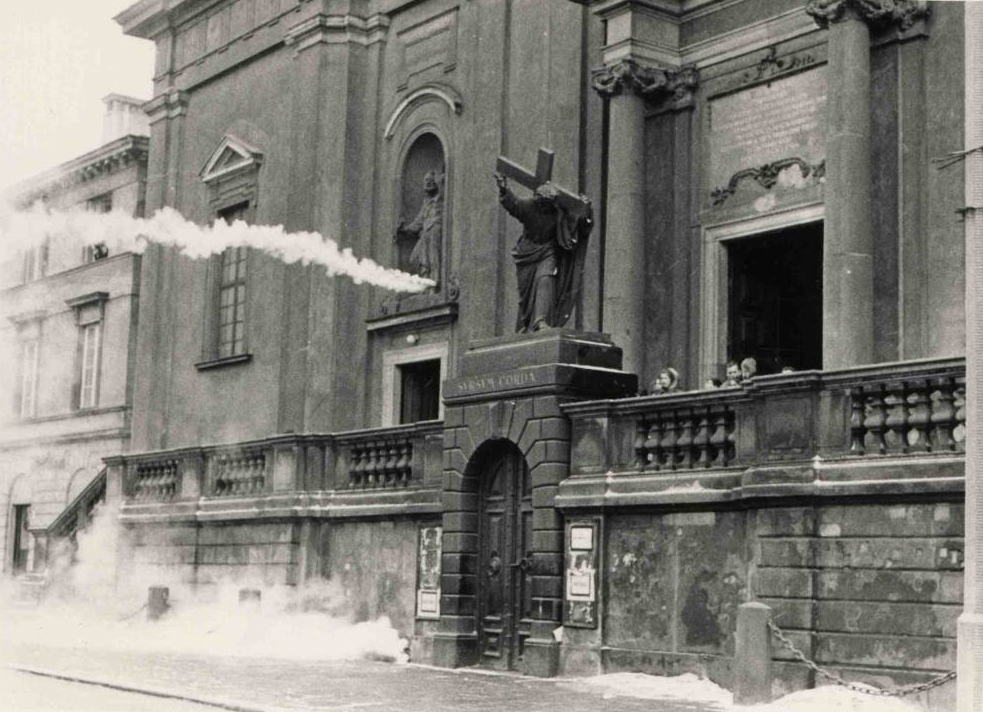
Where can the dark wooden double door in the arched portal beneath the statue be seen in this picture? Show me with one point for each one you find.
(505, 560)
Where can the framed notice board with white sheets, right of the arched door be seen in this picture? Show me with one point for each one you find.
(581, 583)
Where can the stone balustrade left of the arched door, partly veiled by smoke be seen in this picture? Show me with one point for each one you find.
(400, 457)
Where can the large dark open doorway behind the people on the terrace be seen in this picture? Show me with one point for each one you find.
(775, 298)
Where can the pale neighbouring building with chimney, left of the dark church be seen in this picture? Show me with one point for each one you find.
(67, 326)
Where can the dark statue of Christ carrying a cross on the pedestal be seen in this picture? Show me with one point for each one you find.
(549, 256)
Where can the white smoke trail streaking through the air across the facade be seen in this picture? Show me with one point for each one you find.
(22, 229)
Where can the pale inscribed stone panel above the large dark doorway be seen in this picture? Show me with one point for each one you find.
(784, 118)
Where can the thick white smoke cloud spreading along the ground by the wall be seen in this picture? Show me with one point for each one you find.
(86, 607)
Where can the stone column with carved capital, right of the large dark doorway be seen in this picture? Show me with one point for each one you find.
(848, 283)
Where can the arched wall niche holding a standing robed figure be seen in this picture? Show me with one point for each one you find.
(422, 204)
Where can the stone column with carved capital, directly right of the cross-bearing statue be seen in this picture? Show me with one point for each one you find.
(628, 85)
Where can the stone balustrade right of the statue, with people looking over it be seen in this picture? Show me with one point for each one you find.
(796, 433)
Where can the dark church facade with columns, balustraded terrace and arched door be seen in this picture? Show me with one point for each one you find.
(762, 184)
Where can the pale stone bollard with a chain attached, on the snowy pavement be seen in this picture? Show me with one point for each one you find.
(752, 658)
